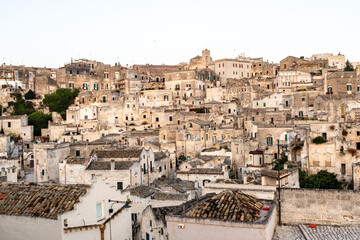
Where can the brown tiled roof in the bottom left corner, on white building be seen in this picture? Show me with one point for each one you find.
(47, 201)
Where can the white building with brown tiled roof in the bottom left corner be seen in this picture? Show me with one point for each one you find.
(63, 212)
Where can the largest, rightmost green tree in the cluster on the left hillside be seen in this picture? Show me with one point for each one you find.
(60, 100)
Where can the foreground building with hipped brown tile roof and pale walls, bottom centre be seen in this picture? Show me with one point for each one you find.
(207, 220)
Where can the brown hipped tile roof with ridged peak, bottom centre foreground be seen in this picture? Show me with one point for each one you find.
(227, 206)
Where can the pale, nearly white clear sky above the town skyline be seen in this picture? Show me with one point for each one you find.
(49, 32)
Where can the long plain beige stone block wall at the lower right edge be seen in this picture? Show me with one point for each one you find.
(327, 207)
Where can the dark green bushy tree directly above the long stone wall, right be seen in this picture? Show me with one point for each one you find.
(322, 180)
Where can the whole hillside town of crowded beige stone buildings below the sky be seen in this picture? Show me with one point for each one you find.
(205, 149)
